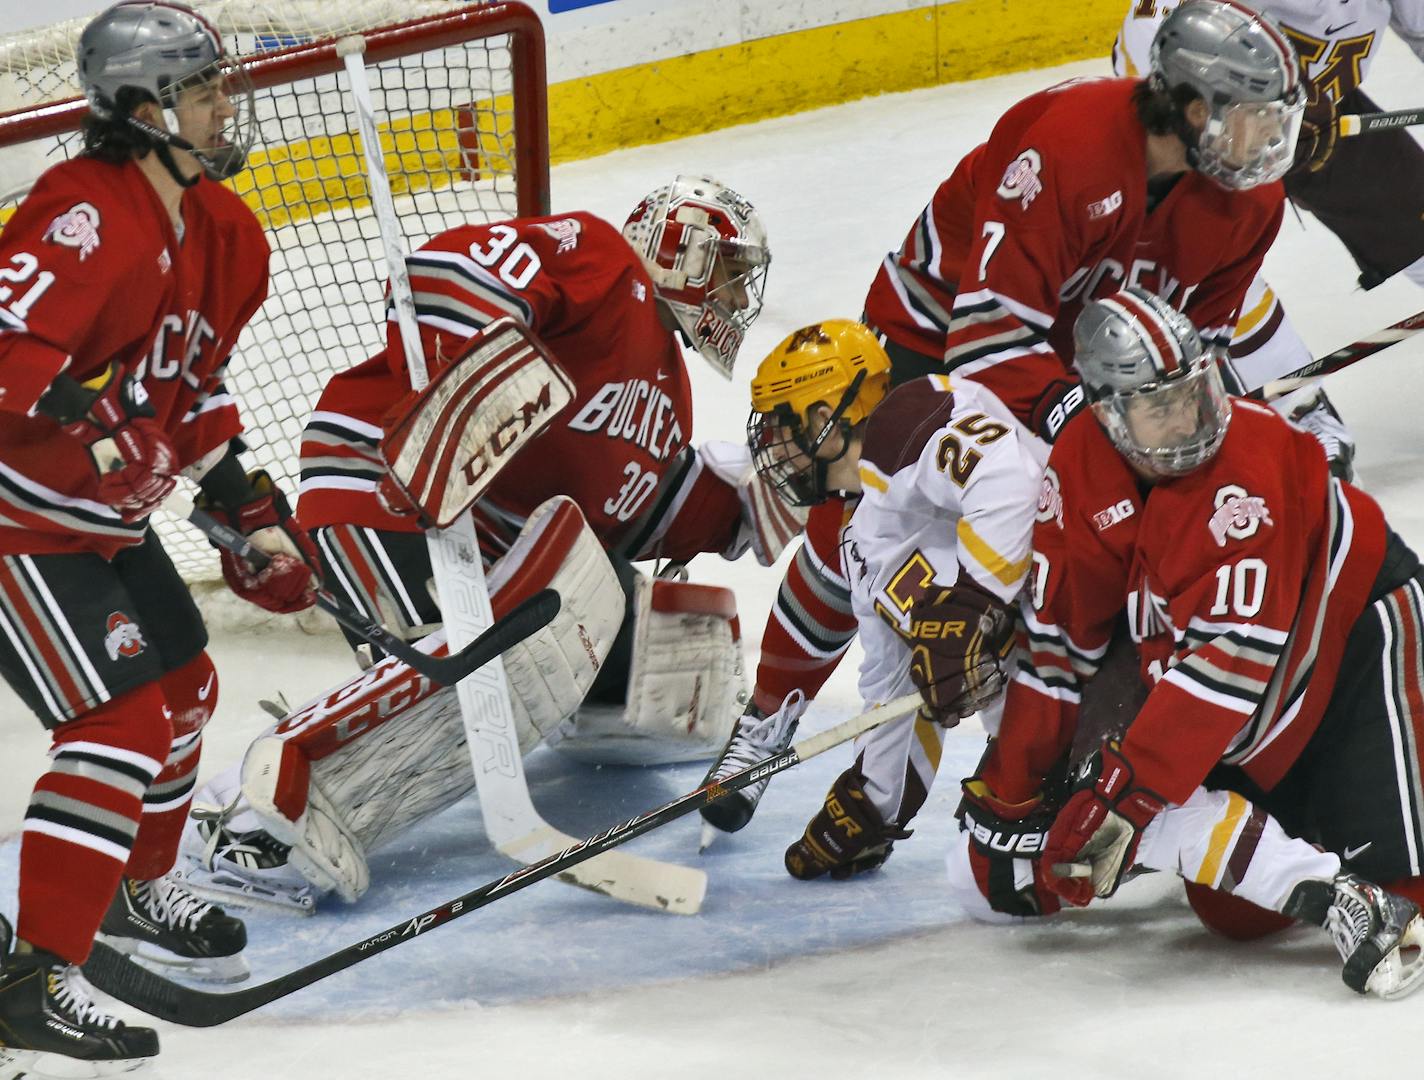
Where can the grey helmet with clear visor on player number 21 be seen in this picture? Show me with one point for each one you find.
(173, 56)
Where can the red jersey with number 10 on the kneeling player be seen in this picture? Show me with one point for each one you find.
(1241, 583)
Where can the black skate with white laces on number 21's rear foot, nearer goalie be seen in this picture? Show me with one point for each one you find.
(167, 930)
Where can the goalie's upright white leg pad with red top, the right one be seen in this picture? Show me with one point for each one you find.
(687, 682)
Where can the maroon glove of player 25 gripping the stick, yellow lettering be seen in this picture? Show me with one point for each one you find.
(960, 640)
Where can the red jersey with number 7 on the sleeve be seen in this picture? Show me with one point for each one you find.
(1050, 213)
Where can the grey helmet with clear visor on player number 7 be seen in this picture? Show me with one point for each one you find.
(1247, 71)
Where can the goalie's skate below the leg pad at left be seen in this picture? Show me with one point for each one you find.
(247, 870)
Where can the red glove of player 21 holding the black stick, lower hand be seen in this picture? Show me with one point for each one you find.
(290, 582)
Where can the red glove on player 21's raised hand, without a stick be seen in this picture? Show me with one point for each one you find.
(133, 457)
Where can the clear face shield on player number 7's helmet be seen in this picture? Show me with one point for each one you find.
(1251, 143)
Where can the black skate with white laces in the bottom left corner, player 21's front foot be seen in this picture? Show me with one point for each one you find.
(52, 1028)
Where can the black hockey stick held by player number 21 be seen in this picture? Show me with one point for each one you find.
(529, 618)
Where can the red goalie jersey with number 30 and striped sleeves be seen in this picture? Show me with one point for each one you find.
(620, 451)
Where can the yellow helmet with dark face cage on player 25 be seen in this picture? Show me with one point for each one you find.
(837, 364)
